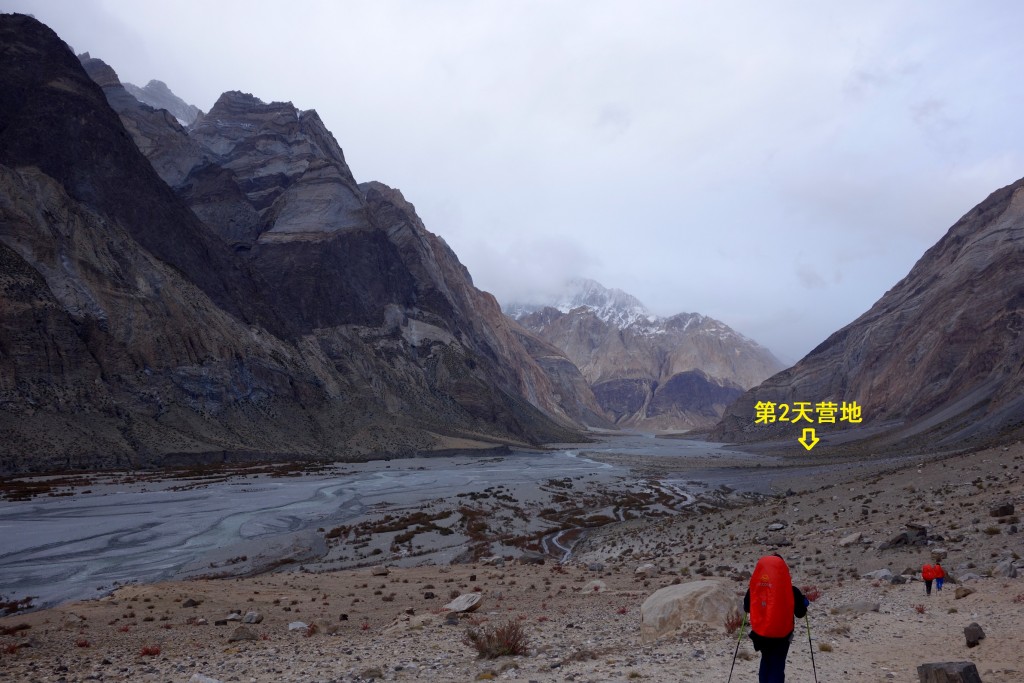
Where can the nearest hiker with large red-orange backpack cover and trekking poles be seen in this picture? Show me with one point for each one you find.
(773, 602)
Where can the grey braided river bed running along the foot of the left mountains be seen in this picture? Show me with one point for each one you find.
(81, 546)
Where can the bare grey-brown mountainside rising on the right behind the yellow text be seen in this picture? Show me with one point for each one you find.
(940, 358)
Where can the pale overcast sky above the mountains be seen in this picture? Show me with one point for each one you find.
(776, 165)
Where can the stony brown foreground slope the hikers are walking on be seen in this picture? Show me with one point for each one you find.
(393, 627)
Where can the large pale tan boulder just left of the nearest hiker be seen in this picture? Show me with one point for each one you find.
(709, 602)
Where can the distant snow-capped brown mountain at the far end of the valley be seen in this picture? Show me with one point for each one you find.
(664, 373)
